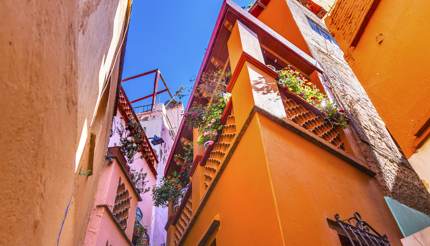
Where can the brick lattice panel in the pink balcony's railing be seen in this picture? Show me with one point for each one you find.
(122, 205)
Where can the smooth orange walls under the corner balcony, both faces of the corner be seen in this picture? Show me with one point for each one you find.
(284, 195)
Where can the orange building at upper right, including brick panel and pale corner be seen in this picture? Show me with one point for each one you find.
(384, 43)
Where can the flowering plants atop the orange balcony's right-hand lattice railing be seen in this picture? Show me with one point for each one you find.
(295, 82)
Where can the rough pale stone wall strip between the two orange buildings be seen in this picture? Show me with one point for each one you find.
(393, 171)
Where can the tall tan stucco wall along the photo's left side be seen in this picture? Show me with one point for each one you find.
(56, 56)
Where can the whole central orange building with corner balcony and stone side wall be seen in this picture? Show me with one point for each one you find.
(280, 171)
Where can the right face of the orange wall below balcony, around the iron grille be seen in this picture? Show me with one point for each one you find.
(311, 185)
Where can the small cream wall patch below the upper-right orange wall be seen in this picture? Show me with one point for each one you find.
(420, 161)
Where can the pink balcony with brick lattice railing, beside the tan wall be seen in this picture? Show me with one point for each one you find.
(112, 220)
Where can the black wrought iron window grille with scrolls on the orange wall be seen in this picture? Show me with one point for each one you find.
(357, 232)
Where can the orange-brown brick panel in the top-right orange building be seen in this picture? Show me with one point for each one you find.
(345, 19)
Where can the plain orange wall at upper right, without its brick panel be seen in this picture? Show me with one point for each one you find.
(395, 72)
